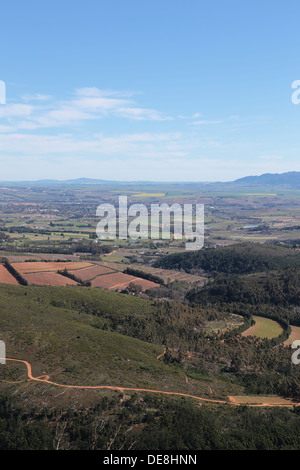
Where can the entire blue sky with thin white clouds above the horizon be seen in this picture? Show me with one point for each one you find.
(140, 90)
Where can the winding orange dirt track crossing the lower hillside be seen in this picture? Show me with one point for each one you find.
(121, 389)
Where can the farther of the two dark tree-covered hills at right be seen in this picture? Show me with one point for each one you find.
(234, 259)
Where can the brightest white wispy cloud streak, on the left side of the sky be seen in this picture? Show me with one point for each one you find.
(39, 111)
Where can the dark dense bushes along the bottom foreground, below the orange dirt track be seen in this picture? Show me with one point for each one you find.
(148, 423)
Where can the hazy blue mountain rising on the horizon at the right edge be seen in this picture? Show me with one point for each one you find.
(291, 178)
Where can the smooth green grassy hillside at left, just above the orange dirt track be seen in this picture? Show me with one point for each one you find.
(71, 347)
